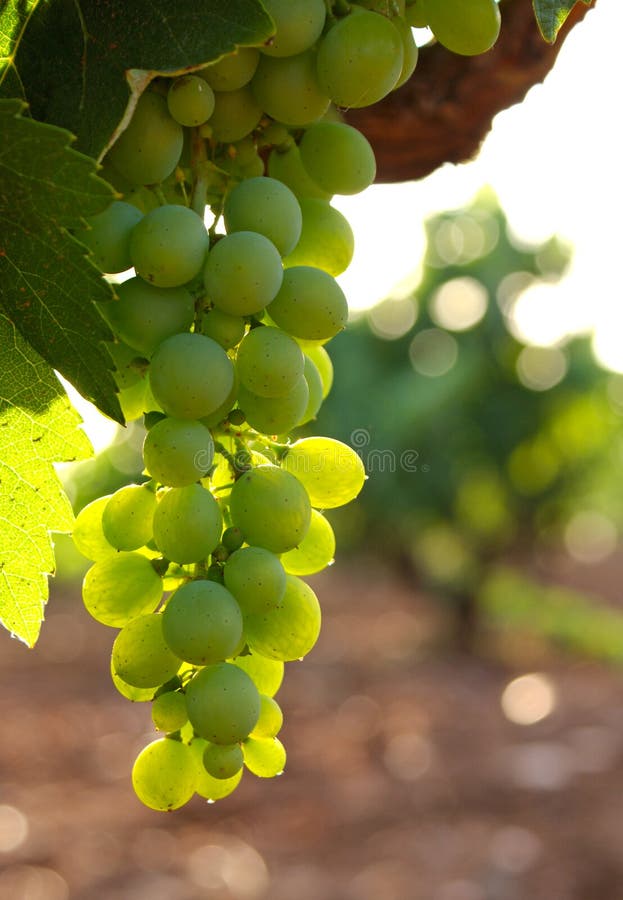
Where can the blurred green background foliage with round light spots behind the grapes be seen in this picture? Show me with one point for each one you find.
(484, 451)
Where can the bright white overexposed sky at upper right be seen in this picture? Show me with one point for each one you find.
(555, 163)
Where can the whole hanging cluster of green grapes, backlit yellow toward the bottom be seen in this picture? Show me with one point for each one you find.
(220, 347)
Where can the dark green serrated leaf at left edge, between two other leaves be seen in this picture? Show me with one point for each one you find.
(48, 285)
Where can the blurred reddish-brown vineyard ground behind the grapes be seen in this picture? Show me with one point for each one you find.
(405, 779)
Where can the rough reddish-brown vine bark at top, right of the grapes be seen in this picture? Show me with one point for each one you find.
(444, 111)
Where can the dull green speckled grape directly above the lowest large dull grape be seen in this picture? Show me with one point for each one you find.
(202, 623)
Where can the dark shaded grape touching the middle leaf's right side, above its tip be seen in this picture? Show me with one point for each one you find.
(145, 314)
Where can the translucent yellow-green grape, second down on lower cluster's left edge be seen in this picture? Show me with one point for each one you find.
(118, 588)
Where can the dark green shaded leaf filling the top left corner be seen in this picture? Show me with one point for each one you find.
(82, 65)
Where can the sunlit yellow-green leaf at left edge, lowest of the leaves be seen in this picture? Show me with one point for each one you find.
(37, 427)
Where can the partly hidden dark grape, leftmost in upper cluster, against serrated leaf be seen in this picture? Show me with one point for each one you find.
(108, 236)
